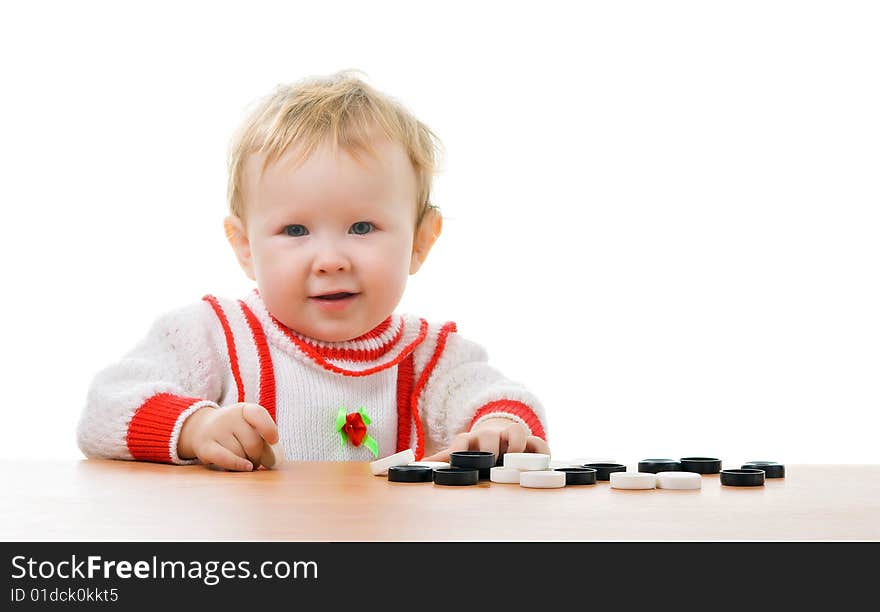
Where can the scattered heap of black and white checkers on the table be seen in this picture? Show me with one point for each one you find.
(533, 470)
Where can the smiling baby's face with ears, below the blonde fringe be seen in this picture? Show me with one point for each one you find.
(334, 224)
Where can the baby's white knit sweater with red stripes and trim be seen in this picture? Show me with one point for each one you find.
(419, 383)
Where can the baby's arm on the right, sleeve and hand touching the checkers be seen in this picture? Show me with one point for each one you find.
(469, 405)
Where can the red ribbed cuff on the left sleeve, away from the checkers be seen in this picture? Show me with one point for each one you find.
(149, 433)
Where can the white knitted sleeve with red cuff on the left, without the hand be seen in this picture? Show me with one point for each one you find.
(135, 408)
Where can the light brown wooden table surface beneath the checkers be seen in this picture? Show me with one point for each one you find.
(102, 500)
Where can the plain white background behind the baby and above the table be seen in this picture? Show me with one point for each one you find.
(663, 217)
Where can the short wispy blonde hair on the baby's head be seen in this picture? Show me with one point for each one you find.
(342, 107)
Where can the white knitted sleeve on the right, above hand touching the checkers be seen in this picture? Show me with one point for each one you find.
(463, 390)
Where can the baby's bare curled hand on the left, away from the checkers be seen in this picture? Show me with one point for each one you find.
(233, 437)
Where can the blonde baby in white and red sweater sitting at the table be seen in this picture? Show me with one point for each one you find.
(329, 189)
